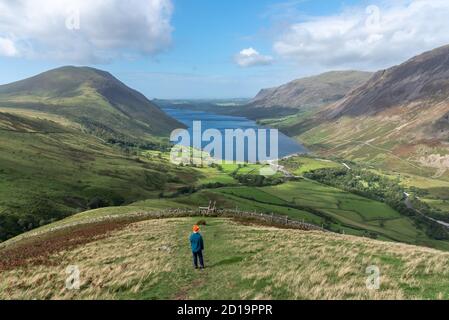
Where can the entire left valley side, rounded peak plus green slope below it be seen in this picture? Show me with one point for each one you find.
(61, 138)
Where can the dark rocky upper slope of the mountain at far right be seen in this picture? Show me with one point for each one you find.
(420, 83)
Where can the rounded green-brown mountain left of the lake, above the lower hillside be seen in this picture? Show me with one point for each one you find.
(94, 100)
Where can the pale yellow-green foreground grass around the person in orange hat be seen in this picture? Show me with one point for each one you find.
(151, 260)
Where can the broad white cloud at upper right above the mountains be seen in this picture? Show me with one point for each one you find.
(372, 37)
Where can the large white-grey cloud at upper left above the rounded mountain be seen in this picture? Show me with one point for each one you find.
(84, 31)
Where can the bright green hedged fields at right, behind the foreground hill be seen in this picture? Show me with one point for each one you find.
(354, 212)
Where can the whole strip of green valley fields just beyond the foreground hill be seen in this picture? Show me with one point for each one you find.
(315, 203)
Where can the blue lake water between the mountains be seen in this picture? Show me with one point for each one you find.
(287, 146)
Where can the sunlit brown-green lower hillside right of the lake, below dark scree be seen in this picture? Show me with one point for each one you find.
(371, 143)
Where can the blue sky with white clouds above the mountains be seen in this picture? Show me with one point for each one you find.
(205, 49)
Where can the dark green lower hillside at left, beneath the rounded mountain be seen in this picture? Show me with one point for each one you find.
(49, 171)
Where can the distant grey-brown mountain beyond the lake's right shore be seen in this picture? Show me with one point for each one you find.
(308, 93)
